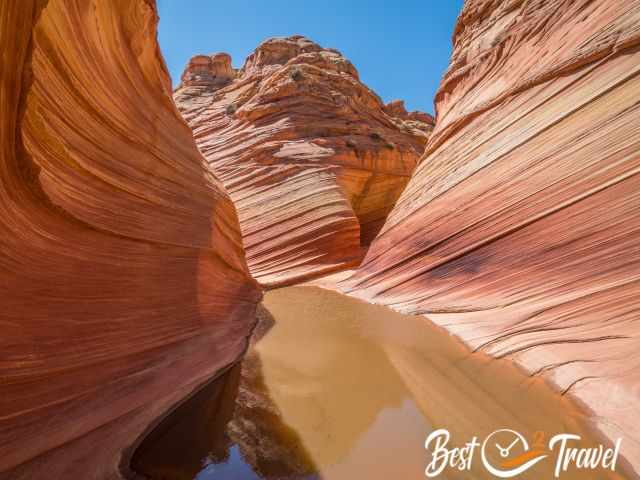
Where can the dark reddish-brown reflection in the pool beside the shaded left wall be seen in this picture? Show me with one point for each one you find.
(235, 408)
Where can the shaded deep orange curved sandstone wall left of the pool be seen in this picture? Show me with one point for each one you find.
(121, 264)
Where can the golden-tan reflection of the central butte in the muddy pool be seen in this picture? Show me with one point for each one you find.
(329, 380)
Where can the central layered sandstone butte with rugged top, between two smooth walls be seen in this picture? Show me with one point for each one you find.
(311, 157)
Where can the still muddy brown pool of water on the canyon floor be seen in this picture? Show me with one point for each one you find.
(335, 388)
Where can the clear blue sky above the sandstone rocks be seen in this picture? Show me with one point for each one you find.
(400, 47)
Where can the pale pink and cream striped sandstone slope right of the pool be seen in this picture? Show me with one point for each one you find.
(519, 229)
